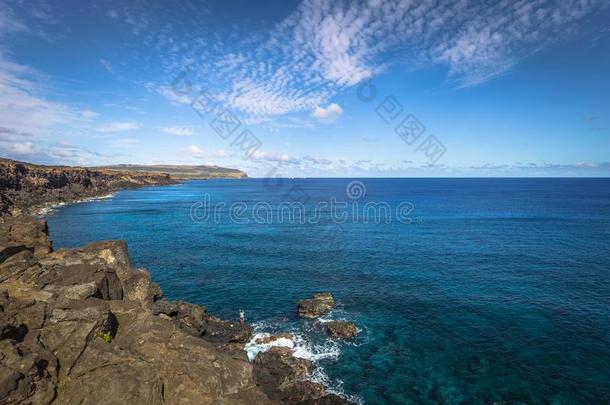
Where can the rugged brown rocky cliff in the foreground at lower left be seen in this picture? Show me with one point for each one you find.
(82, 326)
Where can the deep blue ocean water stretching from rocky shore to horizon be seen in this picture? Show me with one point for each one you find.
(498, 289)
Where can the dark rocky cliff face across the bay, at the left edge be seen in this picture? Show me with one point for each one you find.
(25, 186)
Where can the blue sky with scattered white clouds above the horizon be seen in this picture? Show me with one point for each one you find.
(311, 88)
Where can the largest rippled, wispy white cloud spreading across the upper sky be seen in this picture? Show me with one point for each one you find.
(322, 47)
